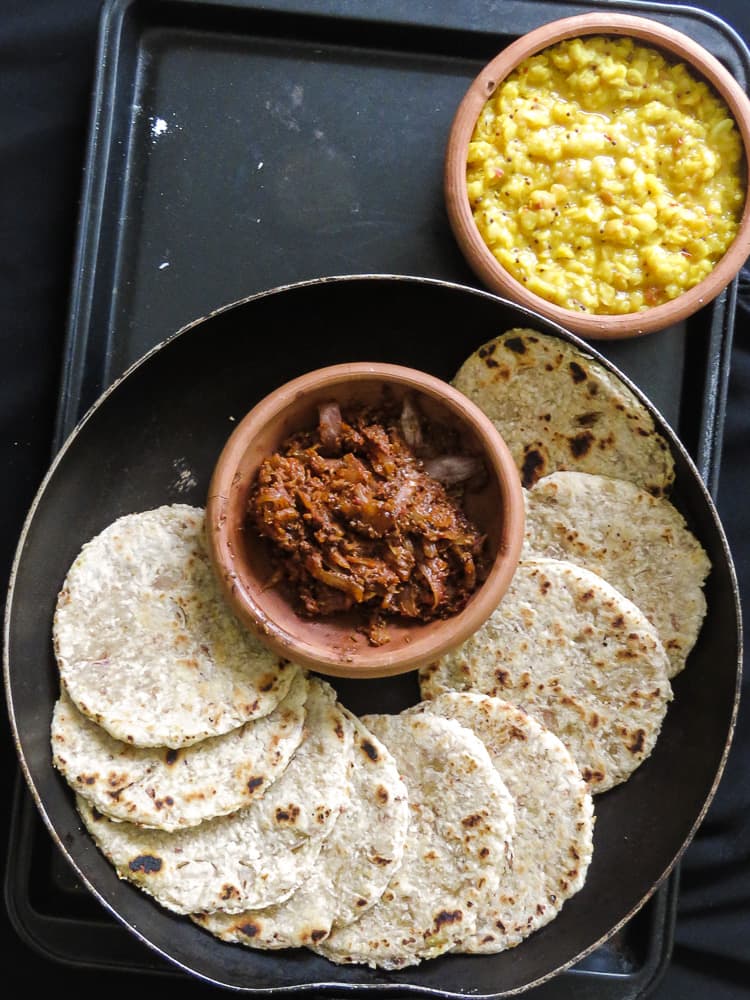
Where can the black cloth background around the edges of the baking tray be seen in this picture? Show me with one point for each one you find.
(47, 63)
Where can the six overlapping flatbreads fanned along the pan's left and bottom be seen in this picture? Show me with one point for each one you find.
(237, 791)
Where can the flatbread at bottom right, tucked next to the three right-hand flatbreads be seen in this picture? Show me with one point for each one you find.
(553, 840)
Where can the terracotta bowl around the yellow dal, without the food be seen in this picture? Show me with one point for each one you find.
(494, 276)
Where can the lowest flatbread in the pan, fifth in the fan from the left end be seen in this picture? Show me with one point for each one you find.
(458, 846)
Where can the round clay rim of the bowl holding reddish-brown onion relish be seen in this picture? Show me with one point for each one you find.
(227, 496)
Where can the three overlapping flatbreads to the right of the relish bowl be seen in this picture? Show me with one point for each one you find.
(607, 600)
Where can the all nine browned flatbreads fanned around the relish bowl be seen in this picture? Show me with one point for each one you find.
(237, 791)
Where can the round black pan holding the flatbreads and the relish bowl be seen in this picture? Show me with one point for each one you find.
(153, 439)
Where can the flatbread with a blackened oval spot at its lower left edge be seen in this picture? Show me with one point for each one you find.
(254, 857)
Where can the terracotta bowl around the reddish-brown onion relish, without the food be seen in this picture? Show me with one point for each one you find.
(331, 645)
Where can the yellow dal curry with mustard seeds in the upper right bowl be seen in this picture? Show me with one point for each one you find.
(604, 177)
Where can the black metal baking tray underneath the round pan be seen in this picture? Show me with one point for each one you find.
(236, 147)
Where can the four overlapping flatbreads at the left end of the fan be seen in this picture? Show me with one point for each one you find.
(213, 775)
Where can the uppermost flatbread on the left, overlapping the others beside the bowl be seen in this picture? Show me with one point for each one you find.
(145, 644)
